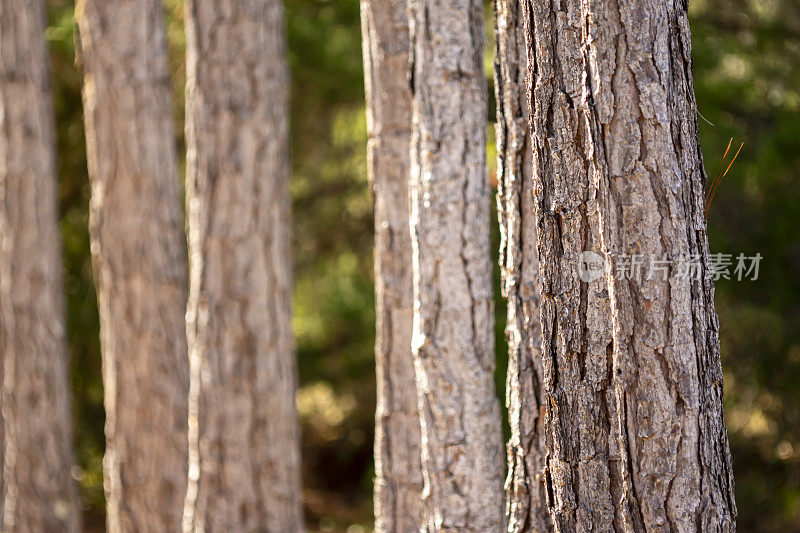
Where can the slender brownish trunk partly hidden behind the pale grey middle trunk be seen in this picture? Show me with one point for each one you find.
(398, 472)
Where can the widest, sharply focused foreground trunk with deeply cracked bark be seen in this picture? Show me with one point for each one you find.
(634, 431)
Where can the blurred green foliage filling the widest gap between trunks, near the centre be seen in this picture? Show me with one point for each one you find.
(332, 224)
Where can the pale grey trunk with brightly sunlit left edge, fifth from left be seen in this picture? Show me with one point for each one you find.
(453, 340)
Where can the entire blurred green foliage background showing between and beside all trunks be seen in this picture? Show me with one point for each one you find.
(747, 76)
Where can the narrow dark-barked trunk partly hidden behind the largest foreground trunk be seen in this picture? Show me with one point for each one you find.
(526, 498)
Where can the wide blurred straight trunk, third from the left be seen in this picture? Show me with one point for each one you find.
(244, 434)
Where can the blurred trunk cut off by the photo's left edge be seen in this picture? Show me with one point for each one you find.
(37, 484)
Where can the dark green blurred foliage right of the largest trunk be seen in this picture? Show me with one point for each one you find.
(746, 55)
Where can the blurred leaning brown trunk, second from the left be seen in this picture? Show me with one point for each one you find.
(138, 251)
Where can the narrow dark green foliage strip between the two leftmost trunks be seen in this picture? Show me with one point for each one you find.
(82, 319)
